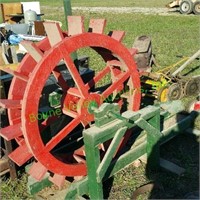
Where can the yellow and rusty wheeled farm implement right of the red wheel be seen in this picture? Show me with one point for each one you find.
(166, 85)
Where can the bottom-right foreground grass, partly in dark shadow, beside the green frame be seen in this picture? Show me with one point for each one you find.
(183, 151)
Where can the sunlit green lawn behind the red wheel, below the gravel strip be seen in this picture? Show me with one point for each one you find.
(168, 41)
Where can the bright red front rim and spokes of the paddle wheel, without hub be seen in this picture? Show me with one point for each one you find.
(63, 50)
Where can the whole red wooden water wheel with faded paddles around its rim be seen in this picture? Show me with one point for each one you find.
(40, 63)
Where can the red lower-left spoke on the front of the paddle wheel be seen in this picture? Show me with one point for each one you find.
(62, 134)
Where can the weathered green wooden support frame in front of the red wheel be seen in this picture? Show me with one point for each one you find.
(149, 141)
